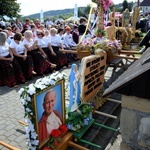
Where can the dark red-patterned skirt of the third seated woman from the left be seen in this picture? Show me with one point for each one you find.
(41, 64)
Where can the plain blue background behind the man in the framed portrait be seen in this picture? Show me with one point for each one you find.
(58, 104)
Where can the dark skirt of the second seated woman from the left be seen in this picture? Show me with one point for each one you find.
(26, 66)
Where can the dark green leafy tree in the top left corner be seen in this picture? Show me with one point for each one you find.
(9, 8)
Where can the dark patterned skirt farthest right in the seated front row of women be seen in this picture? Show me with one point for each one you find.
(60, 59)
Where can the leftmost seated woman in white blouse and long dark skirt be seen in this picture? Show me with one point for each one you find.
(10, 71)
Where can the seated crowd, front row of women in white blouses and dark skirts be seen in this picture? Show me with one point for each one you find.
(33, 48)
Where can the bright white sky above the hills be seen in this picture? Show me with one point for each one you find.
(29, 7)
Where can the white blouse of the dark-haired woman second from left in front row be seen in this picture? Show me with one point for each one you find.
(19, 48)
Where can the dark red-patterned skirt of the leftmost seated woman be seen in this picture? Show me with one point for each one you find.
(10, 73)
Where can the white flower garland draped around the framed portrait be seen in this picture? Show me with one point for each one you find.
(26, 94)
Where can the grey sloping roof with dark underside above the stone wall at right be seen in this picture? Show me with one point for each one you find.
(135, 80)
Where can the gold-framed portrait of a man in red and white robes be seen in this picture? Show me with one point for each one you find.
(49, 106)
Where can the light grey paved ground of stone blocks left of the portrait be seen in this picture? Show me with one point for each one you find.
(11, 110)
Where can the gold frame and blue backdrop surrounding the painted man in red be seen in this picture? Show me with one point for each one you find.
(38, 98)
